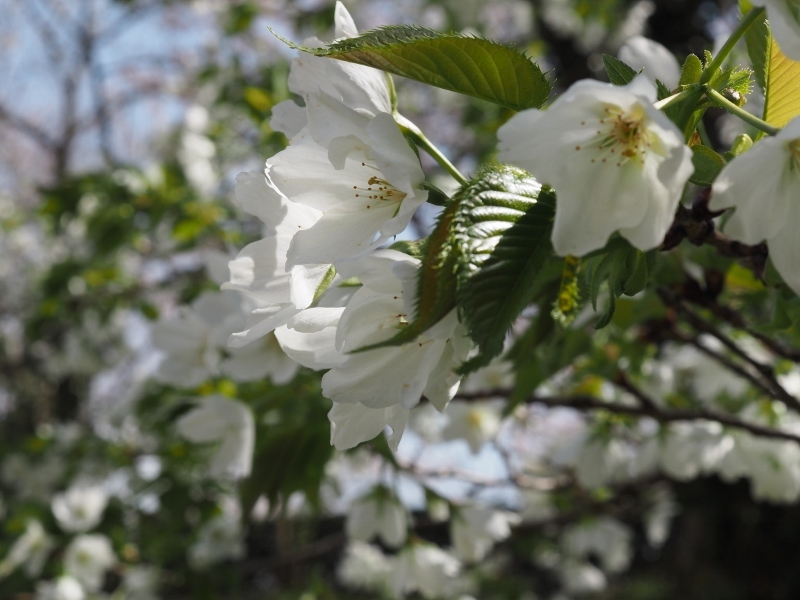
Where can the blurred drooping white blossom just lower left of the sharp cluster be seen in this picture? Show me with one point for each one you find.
(229, 422)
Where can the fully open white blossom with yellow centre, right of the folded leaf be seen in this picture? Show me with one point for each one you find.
(617, 164)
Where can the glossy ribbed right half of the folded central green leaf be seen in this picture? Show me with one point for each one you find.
(502, 231)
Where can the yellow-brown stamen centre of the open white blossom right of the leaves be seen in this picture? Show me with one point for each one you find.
(622, 137)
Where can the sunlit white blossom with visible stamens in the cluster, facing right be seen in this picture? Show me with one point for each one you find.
(364, 179)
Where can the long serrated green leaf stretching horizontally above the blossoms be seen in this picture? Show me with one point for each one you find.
(467, 65)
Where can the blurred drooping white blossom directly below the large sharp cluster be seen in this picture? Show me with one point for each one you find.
(378, 513)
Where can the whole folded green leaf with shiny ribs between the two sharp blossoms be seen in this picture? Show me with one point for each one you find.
(484, 256)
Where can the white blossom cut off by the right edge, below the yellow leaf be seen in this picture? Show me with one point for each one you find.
(763, 185)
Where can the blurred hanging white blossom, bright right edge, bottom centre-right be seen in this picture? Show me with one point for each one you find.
(474, 530)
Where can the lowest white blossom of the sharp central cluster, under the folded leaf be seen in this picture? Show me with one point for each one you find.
(376, 388)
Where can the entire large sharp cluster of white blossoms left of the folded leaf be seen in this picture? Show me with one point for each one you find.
(346, 184)
